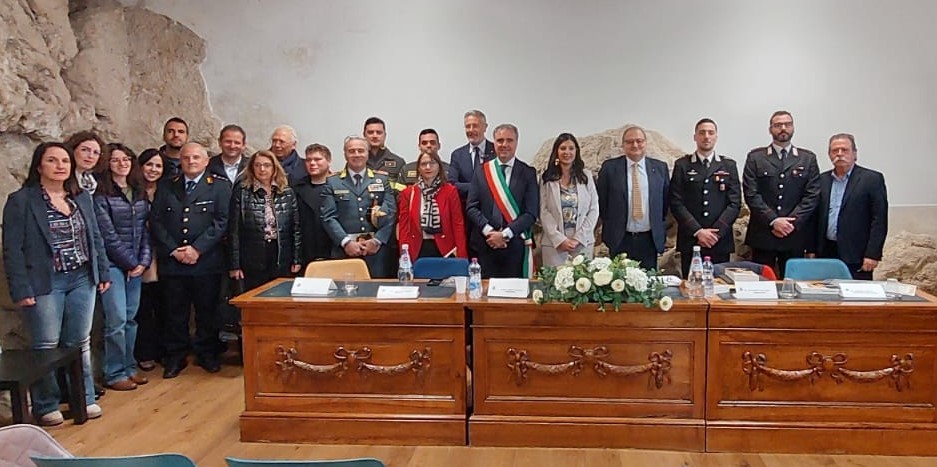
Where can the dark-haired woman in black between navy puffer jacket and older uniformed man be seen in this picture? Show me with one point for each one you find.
(149, 348)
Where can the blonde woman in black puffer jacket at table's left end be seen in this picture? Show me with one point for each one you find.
(263, 230)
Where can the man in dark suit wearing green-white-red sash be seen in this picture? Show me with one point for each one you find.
(502, 236)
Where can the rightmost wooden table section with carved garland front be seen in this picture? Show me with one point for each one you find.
(831, 377)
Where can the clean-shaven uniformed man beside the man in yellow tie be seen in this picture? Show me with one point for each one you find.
(705, 197)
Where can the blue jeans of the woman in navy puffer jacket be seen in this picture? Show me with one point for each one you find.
(120, 304)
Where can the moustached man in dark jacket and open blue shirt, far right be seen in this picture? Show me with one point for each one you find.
(852, 216)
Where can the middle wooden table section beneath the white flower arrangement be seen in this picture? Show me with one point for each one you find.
(553, 376)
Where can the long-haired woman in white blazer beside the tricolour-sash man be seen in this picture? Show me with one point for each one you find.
(569, 204)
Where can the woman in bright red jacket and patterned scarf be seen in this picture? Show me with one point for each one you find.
(430, 214)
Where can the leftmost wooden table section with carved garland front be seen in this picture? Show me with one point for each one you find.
(333, 370)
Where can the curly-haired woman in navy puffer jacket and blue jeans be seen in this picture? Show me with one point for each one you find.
(122, 207)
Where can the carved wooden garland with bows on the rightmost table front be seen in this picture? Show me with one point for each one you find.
(899, 371)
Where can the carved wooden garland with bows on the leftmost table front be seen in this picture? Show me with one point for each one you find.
(357, 359)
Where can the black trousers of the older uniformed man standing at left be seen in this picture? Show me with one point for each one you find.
(181, 294)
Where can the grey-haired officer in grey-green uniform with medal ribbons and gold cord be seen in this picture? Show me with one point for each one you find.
(359, 211)
